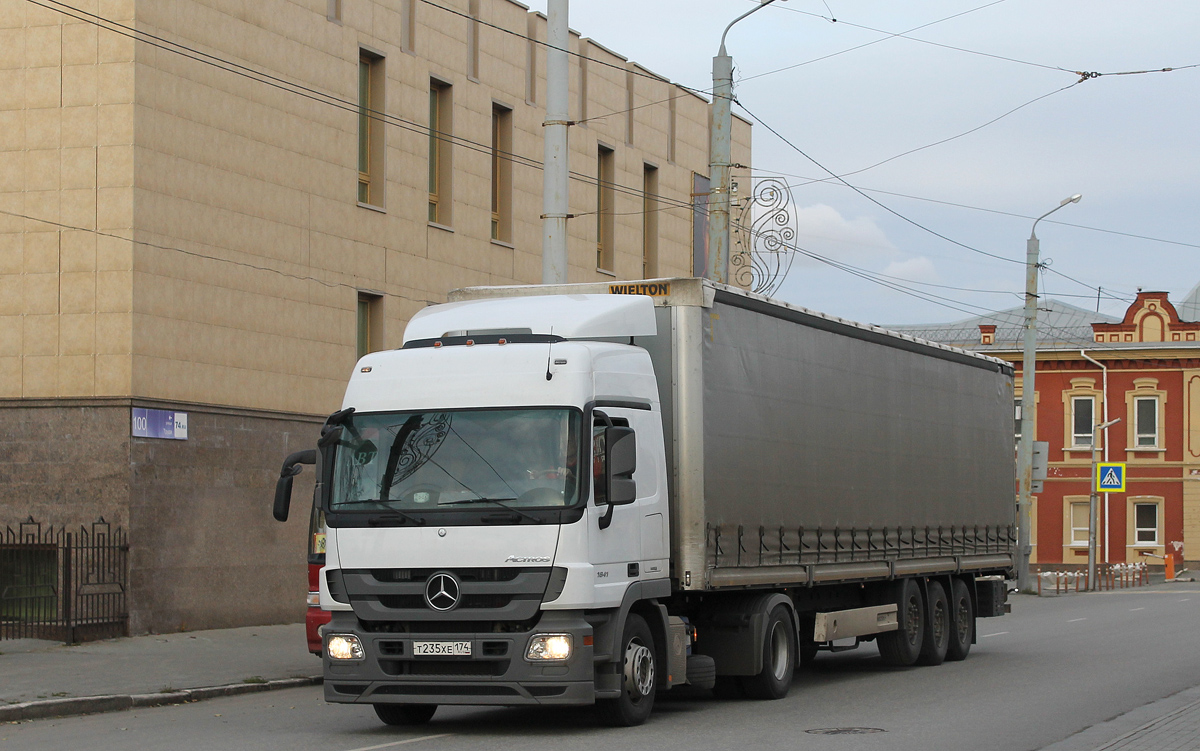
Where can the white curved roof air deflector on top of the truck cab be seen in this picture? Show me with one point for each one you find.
(572, 317)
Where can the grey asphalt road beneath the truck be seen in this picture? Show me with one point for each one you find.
(1052, 669)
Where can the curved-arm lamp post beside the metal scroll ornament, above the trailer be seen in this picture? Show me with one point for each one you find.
(721, 128)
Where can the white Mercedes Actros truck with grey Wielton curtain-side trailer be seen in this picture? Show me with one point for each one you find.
(592, 494)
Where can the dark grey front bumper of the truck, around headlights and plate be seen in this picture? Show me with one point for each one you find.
(496, 674)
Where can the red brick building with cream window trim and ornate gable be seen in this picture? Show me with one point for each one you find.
(1143, 369)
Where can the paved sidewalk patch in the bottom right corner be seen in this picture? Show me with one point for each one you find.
(1172, 724)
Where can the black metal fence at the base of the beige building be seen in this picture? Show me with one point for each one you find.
(63, 586)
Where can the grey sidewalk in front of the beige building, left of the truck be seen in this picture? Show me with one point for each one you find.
(44, 680)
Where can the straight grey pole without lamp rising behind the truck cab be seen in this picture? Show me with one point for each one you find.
(556, 169)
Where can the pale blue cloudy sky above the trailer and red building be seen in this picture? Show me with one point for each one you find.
(856, 95)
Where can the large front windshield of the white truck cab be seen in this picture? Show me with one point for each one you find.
(453, 460)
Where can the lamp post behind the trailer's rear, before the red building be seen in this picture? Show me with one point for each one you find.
(1029, 405)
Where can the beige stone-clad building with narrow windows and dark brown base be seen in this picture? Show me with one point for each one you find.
(214, 207)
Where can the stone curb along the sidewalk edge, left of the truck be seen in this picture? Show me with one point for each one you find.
(119, 702)
